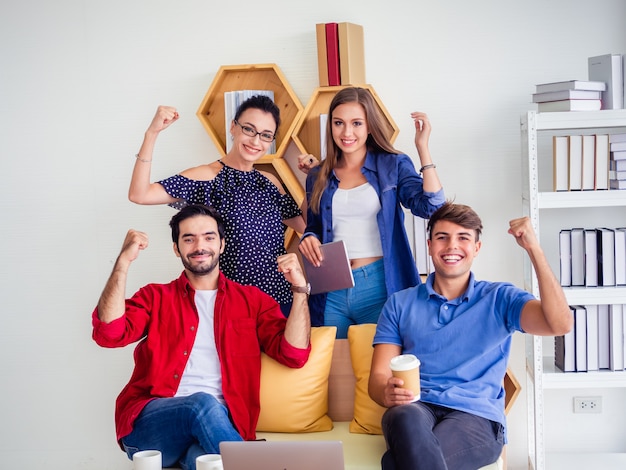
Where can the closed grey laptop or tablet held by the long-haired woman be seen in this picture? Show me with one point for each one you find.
(334, 273)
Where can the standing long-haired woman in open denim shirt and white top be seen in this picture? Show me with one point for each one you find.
(356, 195)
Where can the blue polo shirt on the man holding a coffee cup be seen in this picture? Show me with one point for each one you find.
(463, 344)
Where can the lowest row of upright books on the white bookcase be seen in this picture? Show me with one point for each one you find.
(596, 342)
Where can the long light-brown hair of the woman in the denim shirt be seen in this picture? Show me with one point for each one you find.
(378, 138)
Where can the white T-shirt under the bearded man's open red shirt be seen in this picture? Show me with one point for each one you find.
(203, 372)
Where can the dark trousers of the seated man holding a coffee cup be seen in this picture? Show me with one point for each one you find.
(423, 436)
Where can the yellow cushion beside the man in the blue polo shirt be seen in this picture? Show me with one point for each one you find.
(367, 413)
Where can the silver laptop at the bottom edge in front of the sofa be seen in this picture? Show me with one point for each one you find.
(282, 455)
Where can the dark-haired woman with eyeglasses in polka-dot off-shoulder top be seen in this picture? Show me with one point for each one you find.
(253, 203)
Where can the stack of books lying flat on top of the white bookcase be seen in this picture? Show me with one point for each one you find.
(572, 95)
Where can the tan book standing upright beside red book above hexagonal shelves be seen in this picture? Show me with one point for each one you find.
(351, 54)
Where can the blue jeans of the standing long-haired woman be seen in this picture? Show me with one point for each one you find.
(360, 304)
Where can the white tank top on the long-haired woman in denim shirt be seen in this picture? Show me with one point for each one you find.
(354, 221)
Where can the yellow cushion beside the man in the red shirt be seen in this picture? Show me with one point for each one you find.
(296, 400)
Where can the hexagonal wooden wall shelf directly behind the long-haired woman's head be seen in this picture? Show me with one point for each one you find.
(307, 132)
